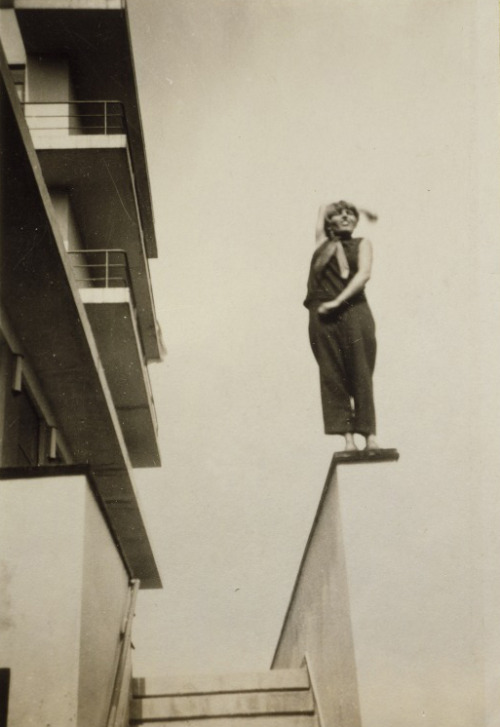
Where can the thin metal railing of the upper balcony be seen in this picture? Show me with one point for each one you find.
(76, 117)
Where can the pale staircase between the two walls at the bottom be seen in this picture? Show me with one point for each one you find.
(278, 698)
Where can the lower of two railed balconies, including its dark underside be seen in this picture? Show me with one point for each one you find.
(104, 279)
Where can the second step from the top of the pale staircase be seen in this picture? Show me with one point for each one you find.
(245, 704)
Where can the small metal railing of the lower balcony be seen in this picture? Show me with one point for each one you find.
(101, 268)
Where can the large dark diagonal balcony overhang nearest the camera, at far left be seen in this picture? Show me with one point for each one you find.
(43, 311)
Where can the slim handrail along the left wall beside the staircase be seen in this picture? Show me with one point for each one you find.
(120, 696)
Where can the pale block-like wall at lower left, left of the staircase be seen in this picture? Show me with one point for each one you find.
(63, 595)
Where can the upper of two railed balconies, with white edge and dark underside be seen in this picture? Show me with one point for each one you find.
(83, 148)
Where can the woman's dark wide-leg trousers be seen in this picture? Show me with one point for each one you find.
(344, 345)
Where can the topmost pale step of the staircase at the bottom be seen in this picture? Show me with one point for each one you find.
(274, 680)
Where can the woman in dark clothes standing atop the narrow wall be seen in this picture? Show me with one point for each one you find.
(341, 326)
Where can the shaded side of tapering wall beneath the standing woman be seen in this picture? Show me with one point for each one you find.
(318, 623)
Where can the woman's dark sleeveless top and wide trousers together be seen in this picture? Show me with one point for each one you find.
(344, 345)
